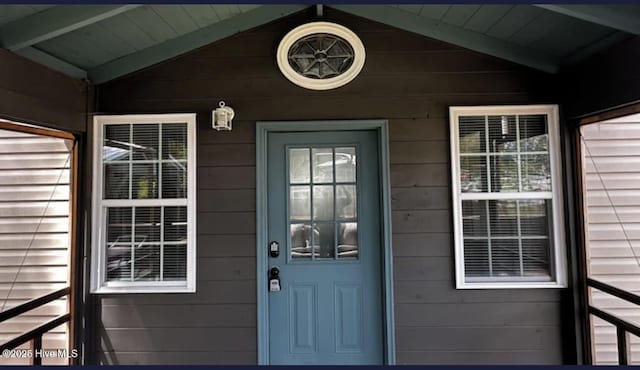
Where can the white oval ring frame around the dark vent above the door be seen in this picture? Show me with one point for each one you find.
(321, 27)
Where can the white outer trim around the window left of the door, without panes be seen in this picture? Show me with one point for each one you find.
(98, 283)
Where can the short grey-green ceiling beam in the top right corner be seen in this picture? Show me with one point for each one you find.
(604, 15)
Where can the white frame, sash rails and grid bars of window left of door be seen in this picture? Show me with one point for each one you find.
(99, 284)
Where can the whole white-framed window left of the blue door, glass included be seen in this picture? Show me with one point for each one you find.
(143, 218)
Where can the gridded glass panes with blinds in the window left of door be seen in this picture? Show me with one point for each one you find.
(151, 162)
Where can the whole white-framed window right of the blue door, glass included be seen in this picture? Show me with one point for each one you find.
(507, 197)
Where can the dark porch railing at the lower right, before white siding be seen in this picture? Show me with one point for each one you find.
(622, 327)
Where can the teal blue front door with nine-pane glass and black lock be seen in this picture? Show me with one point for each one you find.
(325, 307)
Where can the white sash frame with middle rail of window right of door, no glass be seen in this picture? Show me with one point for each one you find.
(556, 236)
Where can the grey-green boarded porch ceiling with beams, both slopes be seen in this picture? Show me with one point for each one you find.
(104, 42)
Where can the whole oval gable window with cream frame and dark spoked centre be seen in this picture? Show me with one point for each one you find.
(320, 55)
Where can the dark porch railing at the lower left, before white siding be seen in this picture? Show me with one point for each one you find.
(35, 334)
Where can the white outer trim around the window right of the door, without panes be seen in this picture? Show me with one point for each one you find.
(558, 240)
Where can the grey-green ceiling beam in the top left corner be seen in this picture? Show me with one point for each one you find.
(54, 22)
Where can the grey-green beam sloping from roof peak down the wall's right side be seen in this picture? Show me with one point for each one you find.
(454, 35)
